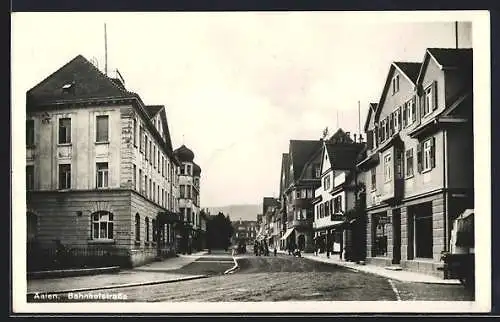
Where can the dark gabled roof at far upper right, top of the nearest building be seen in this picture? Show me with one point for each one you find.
(447, 58)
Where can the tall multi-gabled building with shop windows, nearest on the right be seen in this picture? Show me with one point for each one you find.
(419, 164)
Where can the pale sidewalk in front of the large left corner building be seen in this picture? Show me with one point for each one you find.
(153, 273)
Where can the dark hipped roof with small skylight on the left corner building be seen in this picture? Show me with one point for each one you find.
(88, 83)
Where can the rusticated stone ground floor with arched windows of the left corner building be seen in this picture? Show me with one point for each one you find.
(94, 228)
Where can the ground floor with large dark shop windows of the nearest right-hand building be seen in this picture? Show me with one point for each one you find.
(413, 234)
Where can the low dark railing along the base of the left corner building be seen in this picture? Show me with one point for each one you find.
(72, 258)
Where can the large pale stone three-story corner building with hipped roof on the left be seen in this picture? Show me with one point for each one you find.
(100, 170)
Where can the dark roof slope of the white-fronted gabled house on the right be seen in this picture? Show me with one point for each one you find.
(343, 156)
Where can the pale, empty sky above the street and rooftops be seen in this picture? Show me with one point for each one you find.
(237, 86)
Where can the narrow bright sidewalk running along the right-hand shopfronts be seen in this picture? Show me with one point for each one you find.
(403, 276)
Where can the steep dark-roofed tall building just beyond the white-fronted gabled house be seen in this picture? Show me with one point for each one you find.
(304, 167)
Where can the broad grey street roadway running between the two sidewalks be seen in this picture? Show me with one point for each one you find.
(283, 278)
